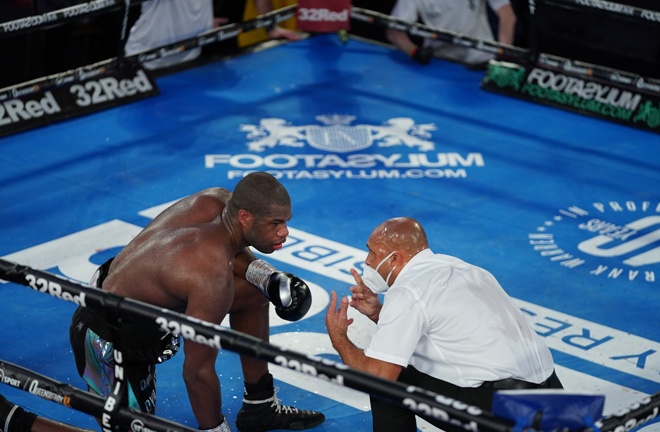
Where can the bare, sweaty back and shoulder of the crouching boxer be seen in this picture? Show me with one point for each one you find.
(187, 237)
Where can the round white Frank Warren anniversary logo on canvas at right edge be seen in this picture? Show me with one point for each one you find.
(612, 240)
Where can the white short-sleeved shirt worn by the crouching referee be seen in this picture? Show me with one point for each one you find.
(453, 321)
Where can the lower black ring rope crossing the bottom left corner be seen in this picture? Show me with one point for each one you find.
(80, 400)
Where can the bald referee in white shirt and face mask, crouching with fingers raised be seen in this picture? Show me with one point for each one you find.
(444, 325)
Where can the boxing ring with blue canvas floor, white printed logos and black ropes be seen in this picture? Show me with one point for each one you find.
(562, 208)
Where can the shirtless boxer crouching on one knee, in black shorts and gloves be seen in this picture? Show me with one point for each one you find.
(194, 258)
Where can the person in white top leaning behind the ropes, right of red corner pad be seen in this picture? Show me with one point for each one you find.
(467, 17)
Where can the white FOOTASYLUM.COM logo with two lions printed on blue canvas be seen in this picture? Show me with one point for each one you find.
(345, 151)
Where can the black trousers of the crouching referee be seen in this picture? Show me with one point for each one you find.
(388, 417)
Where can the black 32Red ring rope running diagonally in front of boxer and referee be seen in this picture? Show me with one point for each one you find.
(417, 400)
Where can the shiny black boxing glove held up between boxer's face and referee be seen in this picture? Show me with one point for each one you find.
(290, 295)
